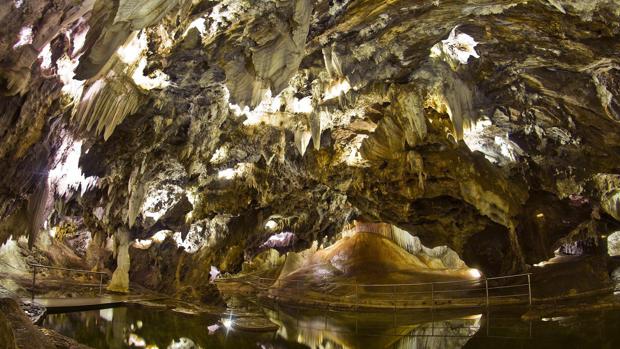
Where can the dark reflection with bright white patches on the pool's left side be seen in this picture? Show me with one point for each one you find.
(137, 326)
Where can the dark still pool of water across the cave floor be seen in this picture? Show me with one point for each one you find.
(157, 328)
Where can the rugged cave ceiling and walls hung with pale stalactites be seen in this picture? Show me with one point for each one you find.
(475, 124)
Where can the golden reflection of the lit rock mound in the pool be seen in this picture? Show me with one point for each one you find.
(376, 330)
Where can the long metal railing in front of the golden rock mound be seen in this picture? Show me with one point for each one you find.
(512, 289)
